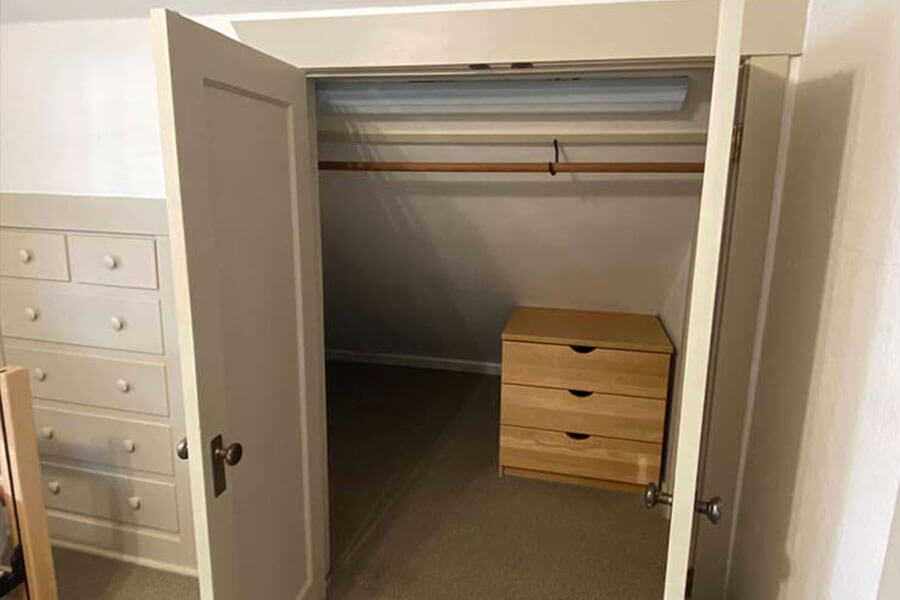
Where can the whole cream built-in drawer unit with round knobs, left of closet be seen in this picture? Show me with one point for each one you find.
(86, 306)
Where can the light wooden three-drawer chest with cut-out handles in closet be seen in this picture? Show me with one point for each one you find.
(584, 397)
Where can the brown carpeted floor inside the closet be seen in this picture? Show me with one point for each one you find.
(418, 510)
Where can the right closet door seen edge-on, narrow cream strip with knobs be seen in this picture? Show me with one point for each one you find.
(703, 293)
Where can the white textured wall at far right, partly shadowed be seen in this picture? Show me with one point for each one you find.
(822, 474)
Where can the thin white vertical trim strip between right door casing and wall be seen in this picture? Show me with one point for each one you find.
(768, 268)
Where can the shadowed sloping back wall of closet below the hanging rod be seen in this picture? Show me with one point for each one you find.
(432, 265)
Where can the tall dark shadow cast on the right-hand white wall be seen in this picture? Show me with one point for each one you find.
(789, 390)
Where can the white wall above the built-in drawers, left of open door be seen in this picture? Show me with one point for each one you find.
(78, 109)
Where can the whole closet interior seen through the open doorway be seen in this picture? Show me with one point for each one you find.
(478, 235)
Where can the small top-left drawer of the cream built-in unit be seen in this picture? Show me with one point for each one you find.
(35, 255)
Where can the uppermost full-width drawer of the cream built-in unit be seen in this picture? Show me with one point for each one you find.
(103, 321)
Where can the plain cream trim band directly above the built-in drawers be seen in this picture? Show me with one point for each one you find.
(105, 214)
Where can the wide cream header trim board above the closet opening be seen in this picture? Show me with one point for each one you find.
(618, 31)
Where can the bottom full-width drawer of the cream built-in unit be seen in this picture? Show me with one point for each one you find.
(114, 497)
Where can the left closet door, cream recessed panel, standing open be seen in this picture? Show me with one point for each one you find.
(245, 250)
